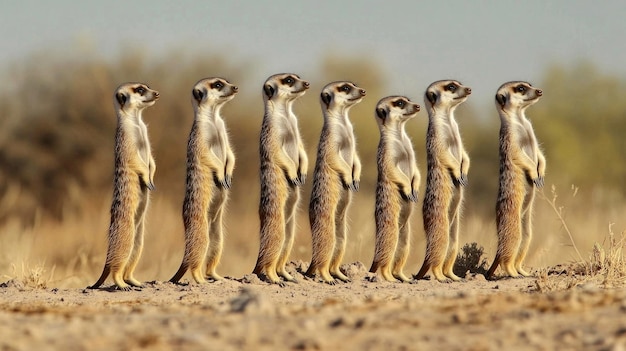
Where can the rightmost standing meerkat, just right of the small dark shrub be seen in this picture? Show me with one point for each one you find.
(522, 168)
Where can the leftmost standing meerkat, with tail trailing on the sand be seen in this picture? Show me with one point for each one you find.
(134, 177)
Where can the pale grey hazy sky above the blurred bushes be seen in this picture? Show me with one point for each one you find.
(481, 43)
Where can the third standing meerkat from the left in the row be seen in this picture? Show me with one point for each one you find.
(284, 166)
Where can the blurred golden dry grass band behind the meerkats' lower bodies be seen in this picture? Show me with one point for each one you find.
(75, 249)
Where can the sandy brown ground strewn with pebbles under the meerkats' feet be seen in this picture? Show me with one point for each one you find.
(244, 313)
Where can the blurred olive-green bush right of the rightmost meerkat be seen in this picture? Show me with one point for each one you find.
(581, 122)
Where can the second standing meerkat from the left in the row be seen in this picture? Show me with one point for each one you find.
(210, 164)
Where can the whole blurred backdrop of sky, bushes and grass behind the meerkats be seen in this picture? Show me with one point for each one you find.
(60, 62)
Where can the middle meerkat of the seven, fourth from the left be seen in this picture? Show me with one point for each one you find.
(337, 173)
